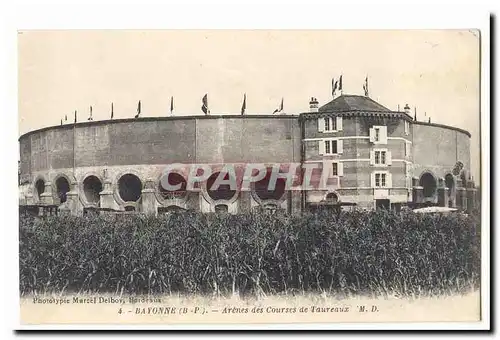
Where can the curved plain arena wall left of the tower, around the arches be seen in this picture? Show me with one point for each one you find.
(110, 149)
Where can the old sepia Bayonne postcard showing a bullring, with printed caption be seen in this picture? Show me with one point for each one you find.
(250, 177)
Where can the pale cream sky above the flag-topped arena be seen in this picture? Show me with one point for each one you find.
(63, 71)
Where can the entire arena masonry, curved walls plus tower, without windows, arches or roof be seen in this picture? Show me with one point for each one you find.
(110, 149)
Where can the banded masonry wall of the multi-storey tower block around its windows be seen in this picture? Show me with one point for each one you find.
(355, 156)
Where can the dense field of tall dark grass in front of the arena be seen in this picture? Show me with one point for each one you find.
(256, 253)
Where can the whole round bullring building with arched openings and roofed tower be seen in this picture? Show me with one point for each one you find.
(375, 157)
